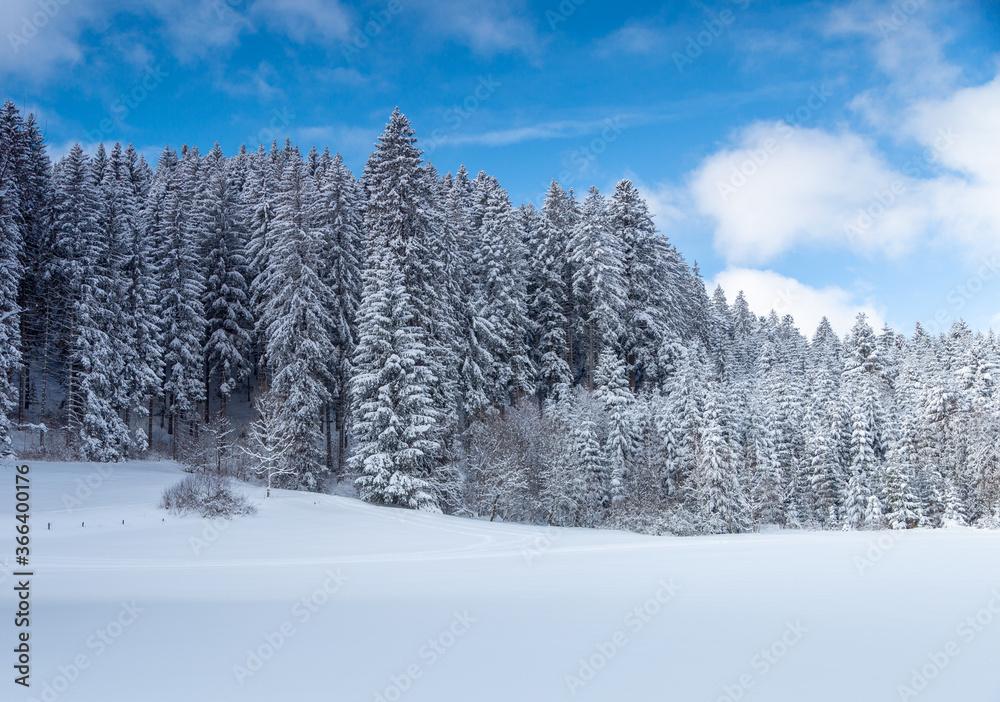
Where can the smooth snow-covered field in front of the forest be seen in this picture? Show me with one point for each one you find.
(326, 598)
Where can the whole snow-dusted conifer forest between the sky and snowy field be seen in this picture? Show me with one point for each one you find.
(419, 337)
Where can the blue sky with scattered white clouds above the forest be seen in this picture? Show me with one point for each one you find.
(824, 157)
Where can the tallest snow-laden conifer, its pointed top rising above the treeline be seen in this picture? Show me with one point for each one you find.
(396, 403)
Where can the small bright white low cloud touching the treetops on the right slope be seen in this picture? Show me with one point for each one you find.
(766, 290)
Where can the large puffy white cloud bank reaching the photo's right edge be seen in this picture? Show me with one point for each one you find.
(780, 187)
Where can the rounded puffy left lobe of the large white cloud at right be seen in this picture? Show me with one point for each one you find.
(781, 186)
